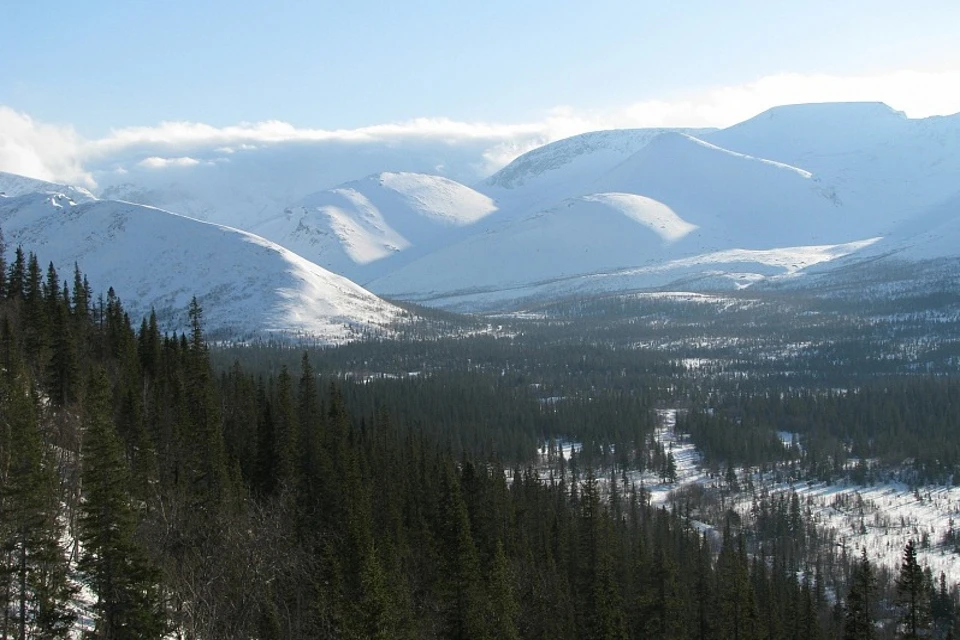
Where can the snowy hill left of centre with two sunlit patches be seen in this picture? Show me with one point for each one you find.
(352, 229)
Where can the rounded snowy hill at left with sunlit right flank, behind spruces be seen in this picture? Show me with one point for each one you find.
(157, 259)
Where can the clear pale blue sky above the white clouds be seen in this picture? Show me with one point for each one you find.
(331, 65)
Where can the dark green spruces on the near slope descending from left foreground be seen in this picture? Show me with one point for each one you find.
(142, 495)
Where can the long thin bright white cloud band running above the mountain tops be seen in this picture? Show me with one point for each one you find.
(917, 93)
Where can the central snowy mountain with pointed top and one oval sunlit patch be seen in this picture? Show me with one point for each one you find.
(679, 208)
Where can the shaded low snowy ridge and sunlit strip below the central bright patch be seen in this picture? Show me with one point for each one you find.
(576, 268)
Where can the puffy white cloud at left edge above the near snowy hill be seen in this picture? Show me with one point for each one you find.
(42, 151)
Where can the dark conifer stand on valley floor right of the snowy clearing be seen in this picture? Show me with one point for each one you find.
(907, 423)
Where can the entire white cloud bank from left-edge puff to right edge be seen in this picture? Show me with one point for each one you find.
(55, 152)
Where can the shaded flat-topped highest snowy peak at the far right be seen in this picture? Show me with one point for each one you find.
(877, 158)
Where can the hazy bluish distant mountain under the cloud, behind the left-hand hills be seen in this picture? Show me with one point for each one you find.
(244, 185)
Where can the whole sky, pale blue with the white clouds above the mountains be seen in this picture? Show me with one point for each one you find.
(80, 79)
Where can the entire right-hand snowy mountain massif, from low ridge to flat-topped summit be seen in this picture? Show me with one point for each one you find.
(794, 187)
